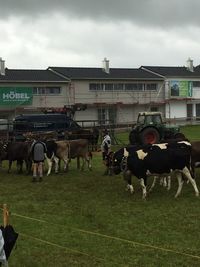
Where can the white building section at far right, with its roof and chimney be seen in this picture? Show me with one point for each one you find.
(182, 90)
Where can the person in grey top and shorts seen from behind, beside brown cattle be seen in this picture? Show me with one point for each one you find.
(38, 150)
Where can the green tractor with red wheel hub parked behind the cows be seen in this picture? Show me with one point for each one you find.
(151, 129)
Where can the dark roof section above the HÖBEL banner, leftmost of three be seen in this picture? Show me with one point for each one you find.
(20, 75)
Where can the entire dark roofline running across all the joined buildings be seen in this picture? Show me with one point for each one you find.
(65, 74)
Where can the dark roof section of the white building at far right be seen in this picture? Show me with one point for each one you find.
(176, 72)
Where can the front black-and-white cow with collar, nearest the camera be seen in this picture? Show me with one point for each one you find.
(155, 159)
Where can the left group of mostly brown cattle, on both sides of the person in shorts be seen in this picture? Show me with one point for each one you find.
(63, 150)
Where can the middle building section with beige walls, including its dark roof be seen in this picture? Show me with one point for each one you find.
(114, 96)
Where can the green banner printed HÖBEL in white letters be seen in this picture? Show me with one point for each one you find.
(16, 96)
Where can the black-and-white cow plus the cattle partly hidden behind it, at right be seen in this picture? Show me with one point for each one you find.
(173, 158)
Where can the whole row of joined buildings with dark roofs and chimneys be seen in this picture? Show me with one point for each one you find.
(101, 95)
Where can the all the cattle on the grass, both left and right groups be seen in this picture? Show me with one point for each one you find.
(175, 158)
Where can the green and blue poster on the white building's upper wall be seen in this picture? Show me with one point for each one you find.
(181, 88)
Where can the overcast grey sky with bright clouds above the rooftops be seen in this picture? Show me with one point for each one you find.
(36, 34)
